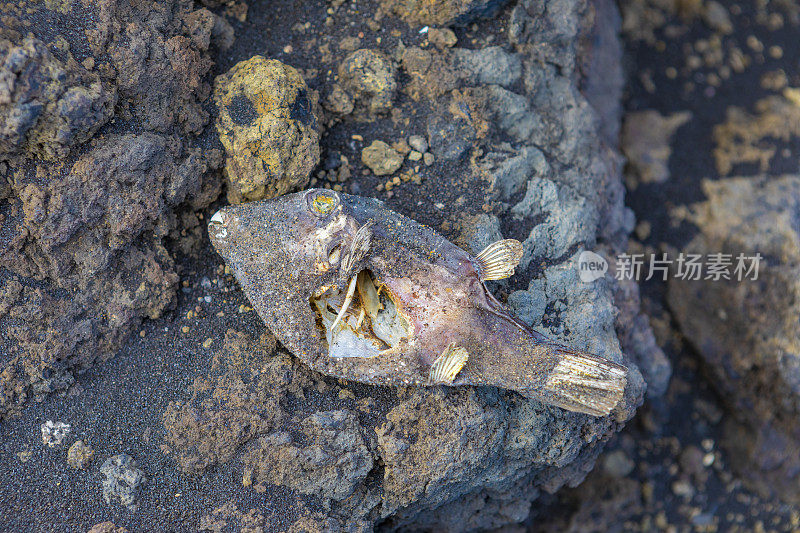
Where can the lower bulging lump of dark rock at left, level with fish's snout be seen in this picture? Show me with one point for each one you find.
(94, 229)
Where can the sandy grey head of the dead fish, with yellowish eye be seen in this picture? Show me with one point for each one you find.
(287, 250)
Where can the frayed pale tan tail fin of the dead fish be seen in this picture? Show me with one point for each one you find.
(585, 383)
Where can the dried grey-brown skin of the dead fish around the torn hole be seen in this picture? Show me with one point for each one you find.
(277, 250)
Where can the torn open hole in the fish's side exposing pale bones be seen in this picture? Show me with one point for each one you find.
(362, 320)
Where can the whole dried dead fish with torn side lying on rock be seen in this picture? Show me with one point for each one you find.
(363, 293)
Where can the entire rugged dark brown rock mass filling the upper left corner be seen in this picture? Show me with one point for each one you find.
(84, 211)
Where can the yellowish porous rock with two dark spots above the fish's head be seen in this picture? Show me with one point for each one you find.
(268, 123)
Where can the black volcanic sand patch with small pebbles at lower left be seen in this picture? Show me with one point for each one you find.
(117, 408)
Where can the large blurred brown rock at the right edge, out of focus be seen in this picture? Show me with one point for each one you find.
(747, 330)
